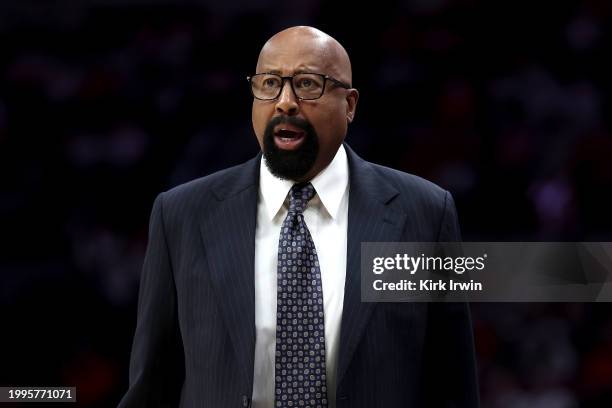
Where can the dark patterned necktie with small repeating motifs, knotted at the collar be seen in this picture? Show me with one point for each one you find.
(300, 331)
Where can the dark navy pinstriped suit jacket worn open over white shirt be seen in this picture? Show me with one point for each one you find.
(195, 337)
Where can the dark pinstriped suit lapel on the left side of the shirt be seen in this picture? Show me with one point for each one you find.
(228, 234)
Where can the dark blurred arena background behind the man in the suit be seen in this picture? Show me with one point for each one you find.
(104, 104)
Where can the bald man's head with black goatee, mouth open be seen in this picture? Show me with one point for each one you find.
(300, 137)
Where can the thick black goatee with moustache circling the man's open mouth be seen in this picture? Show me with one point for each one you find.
(290, 164)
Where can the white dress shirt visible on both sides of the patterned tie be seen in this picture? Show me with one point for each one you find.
(327, 219)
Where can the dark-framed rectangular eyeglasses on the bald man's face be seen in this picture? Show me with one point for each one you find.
(306, 86)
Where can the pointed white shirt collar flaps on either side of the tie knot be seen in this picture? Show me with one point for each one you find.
(330, 185)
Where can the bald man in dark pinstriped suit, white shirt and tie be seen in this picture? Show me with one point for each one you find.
(250, 292)
